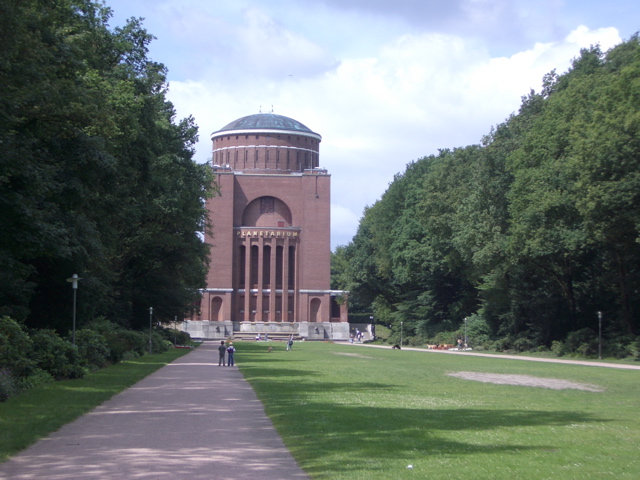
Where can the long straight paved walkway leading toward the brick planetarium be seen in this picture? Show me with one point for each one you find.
(189, 420)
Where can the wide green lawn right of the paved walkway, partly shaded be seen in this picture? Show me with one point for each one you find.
(350, 412)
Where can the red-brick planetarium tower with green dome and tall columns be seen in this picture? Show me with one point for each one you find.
(269, 270)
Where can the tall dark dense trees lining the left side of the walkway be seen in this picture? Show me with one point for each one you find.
(96, 174)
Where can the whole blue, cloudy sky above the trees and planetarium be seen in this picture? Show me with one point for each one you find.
(383, 82)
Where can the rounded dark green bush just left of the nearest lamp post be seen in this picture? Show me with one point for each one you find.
(56, 356)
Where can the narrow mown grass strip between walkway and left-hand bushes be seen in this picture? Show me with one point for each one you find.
(37, 412)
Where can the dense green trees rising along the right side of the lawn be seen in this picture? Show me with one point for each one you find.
(528, 235)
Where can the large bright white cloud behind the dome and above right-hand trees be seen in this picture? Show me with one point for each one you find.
(376, 113)
